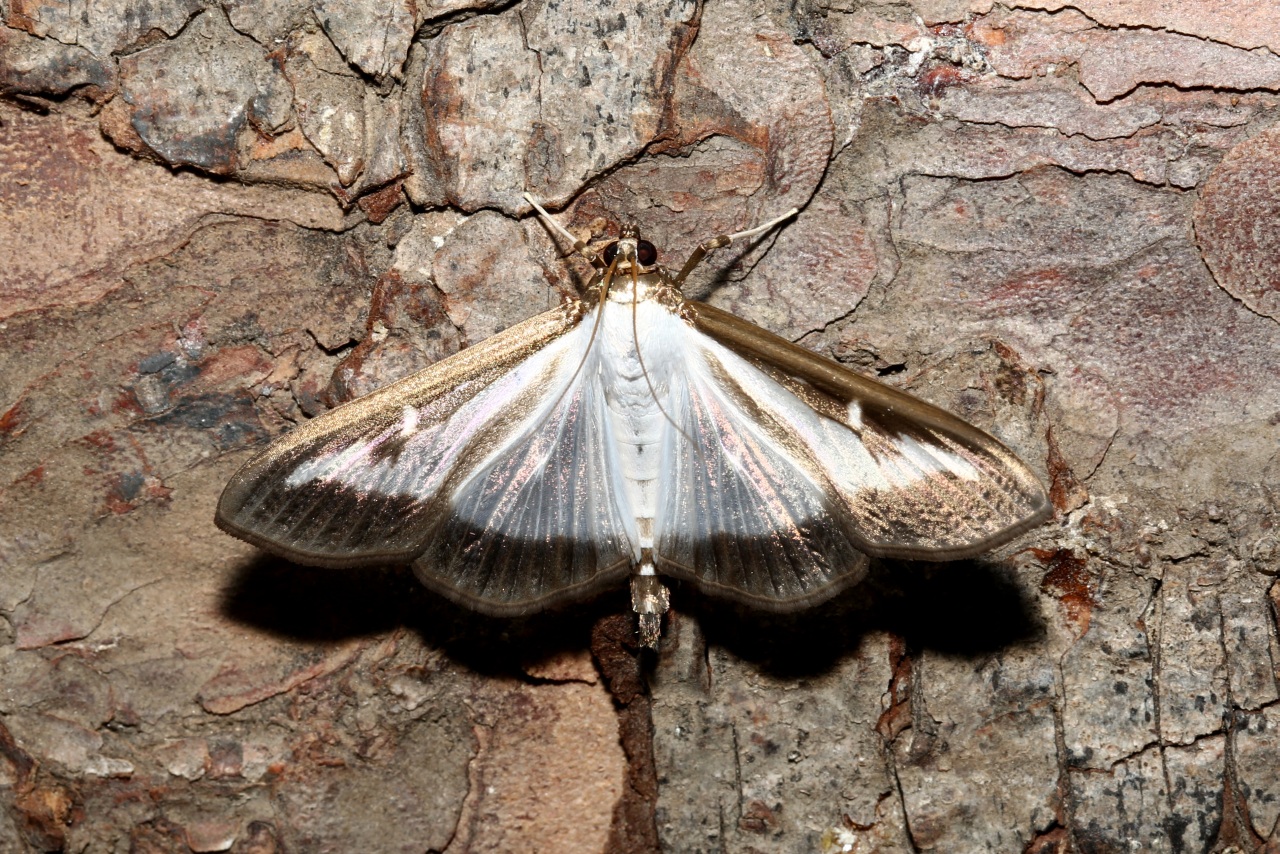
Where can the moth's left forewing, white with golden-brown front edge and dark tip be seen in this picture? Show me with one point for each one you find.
(364, 485)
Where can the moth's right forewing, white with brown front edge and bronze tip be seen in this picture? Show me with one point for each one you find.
(916, 481)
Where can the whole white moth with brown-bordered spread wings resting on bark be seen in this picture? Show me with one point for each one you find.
(633, 433)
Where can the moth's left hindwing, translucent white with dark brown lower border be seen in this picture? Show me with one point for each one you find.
(546, 515)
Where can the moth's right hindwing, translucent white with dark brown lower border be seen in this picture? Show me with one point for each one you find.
(740, 513)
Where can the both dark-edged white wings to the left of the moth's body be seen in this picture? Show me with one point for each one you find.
(380, 481)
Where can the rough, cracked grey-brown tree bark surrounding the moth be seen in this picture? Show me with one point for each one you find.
(1059, 223)
